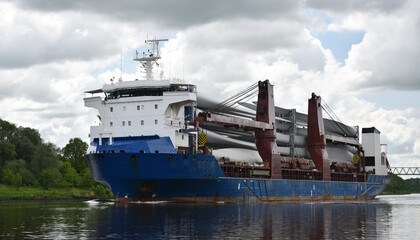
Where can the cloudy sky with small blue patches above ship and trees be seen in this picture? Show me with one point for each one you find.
(361, 56)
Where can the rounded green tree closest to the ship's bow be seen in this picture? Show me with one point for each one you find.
(74, 152)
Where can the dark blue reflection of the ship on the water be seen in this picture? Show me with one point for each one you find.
(243, 221)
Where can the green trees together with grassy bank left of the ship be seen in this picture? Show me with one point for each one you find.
(33, 168)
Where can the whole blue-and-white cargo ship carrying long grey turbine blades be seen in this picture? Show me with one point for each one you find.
(161, 140)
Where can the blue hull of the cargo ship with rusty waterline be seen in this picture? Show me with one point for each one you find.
(190, 177)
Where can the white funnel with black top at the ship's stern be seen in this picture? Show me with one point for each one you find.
(372, 146)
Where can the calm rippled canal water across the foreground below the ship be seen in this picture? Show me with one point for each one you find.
(386, 217)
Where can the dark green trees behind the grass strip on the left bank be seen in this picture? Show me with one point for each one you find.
(27, 160)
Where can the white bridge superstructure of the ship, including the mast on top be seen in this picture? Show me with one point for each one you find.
(143, 107)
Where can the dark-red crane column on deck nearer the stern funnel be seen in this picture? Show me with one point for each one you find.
(316, 137)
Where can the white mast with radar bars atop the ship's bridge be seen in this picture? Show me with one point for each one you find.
(149, 58)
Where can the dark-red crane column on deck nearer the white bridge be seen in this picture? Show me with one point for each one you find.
(265, 139)
